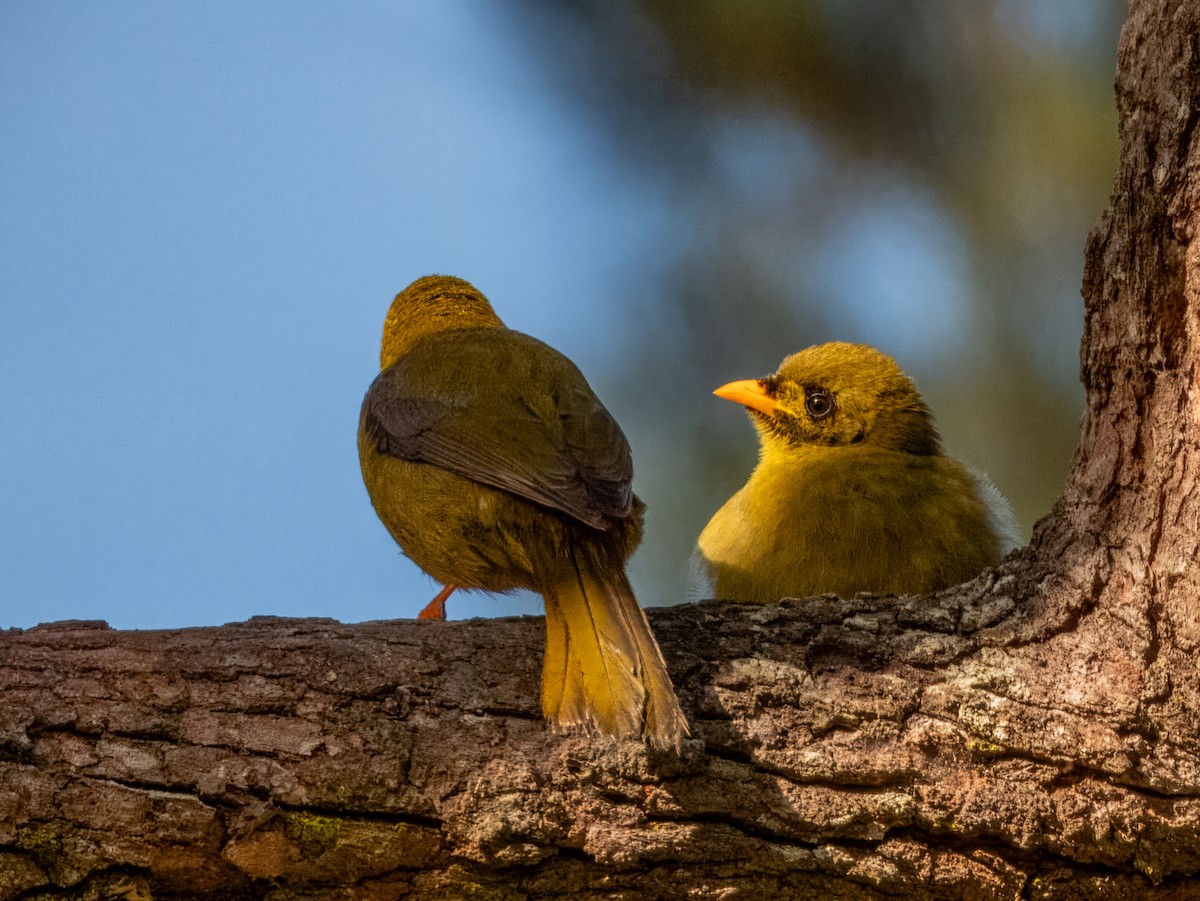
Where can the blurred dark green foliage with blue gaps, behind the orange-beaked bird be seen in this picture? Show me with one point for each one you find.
(919, 175)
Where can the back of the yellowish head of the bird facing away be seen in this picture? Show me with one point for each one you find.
(433, 304)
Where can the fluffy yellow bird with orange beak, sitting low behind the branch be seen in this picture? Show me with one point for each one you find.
(853, 492)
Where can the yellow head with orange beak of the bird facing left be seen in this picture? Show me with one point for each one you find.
(838, 395)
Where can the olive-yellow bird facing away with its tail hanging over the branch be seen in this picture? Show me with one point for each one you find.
(495, 466)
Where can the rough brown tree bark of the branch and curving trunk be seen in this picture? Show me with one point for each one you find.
(1034, 735)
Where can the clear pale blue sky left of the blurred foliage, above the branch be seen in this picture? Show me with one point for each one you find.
(206, 211)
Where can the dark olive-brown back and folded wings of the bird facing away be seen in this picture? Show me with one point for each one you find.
(505, 410)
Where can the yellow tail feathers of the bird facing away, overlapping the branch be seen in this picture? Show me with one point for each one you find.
(603, 669)
